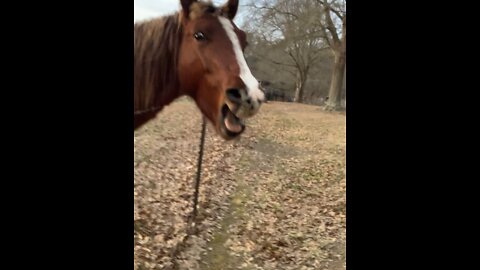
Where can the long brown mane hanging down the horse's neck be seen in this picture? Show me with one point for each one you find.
(156, 48)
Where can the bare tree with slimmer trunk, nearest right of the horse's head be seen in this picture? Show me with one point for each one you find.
(290, 27)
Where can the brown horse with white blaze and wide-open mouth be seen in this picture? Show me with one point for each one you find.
(197, 52)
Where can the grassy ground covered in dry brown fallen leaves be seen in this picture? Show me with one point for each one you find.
(274, 199)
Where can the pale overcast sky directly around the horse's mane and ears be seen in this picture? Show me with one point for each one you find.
(147, 9)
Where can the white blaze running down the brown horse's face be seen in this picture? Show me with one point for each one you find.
(251, 83)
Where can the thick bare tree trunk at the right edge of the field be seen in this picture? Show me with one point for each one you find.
(336, 87)
